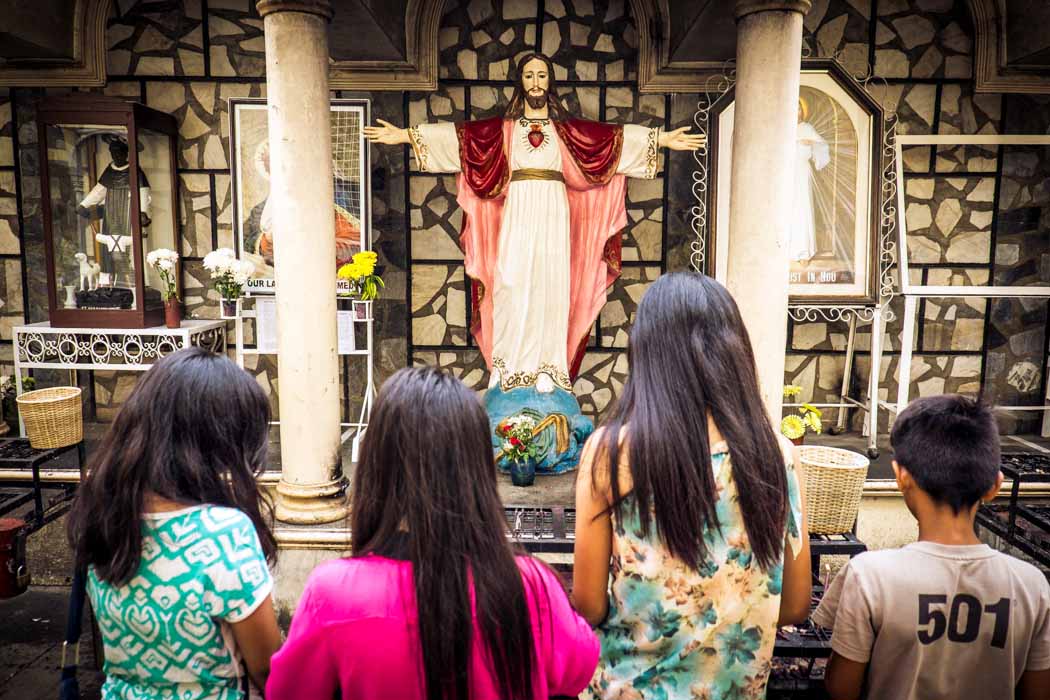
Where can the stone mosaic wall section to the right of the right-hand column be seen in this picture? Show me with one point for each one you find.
(969, 224)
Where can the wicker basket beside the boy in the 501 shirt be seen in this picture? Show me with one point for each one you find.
(834, 482)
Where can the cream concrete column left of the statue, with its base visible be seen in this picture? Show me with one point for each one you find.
(312, 489)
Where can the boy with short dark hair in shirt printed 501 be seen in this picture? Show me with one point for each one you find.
(947, 617)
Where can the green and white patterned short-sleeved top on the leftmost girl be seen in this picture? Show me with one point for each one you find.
(165, 631)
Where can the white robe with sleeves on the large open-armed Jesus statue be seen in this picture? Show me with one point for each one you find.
(531, 303)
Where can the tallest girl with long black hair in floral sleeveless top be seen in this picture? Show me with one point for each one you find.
(690, 500)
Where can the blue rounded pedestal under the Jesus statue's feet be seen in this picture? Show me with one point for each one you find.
(562, 430)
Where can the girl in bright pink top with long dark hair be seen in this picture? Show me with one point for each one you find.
(428, 526)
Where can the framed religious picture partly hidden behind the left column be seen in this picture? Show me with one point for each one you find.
(250, 166)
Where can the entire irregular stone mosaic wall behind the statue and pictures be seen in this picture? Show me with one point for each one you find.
(976, 215)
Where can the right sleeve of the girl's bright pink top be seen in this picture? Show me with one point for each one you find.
(571, 648)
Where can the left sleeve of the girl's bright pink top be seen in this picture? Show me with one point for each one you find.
(304, 668)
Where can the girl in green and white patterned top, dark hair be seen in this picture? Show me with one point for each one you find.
(171, 527)
